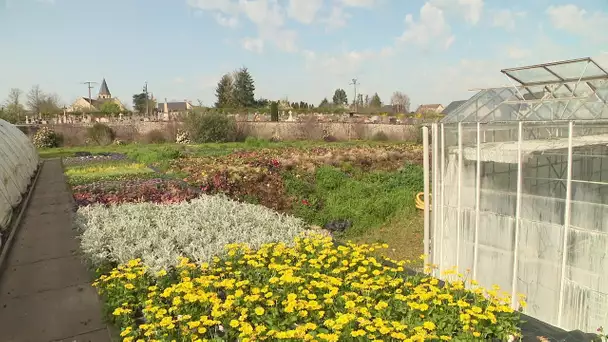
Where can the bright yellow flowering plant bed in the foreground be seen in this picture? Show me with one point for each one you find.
(311, 291)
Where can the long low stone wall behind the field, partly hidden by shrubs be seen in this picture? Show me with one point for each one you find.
(75, 134)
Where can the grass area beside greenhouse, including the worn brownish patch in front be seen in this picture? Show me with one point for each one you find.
(379, 204)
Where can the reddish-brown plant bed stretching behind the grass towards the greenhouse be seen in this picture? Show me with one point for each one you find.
(259, 176)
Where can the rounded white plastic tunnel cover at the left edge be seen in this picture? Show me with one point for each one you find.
(18, 162)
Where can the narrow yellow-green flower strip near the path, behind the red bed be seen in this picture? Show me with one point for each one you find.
(84, 174)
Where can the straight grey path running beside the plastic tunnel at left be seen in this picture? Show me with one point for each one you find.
(45, 292)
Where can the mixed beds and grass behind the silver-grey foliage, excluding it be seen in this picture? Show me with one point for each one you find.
(360, 191)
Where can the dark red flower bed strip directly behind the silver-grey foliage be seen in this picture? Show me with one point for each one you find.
(154, 190)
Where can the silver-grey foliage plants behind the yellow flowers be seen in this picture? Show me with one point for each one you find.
(160, 234)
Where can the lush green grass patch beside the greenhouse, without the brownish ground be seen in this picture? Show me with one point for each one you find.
(369, 200)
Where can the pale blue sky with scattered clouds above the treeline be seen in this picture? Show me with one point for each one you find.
(435, 51)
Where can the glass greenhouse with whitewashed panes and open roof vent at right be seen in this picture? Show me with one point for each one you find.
(519, 184)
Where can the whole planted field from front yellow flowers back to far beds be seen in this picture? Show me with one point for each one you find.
(243, 242)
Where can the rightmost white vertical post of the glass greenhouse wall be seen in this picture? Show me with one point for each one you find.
(562, 285)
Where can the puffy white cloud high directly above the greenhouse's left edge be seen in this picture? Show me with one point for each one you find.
(431, 28)
